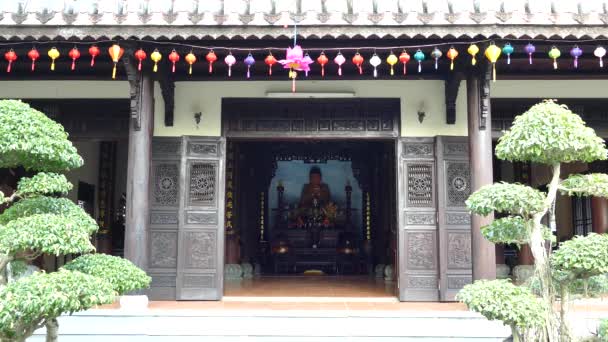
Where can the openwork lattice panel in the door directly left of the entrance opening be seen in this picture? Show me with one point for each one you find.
(202, 183)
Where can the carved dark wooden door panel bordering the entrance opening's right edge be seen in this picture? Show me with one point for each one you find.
(417, 212)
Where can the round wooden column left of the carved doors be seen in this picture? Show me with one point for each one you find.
(138, 167)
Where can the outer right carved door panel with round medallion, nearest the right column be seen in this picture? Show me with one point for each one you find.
(454, 187)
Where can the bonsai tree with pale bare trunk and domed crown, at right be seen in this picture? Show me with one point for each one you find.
(550, 134)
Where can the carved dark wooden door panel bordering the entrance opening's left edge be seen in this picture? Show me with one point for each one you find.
(200, 265)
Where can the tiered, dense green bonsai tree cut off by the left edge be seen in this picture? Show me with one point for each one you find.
(38, 221)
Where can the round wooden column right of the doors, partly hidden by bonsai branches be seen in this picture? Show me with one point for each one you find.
(480, 149)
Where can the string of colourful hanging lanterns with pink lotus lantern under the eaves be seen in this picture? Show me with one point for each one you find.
(297, 60)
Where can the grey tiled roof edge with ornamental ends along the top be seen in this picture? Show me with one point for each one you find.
(267, 18)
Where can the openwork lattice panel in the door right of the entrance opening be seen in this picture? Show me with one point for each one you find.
(420, 185)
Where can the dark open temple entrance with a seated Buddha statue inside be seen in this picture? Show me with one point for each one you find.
(311, 218)
